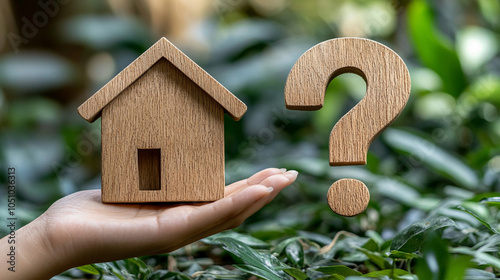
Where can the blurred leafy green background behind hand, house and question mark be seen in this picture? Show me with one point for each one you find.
(433, 175)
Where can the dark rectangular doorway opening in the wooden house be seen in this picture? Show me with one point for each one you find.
(149, 161)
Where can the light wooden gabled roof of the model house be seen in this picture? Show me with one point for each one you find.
(91, 109)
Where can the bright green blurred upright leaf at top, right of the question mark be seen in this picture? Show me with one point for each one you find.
(433, 49)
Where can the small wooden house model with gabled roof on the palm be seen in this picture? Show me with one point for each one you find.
(162, 122)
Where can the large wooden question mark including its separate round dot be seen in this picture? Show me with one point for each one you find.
(387, 92)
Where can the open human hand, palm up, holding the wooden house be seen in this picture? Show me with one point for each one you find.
(79, 229)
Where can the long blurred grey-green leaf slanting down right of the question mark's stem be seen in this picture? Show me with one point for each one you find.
(437, 159)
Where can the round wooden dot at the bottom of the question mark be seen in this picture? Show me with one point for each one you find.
(348, 197)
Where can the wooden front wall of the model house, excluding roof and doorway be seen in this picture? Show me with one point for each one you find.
(163, 109)
